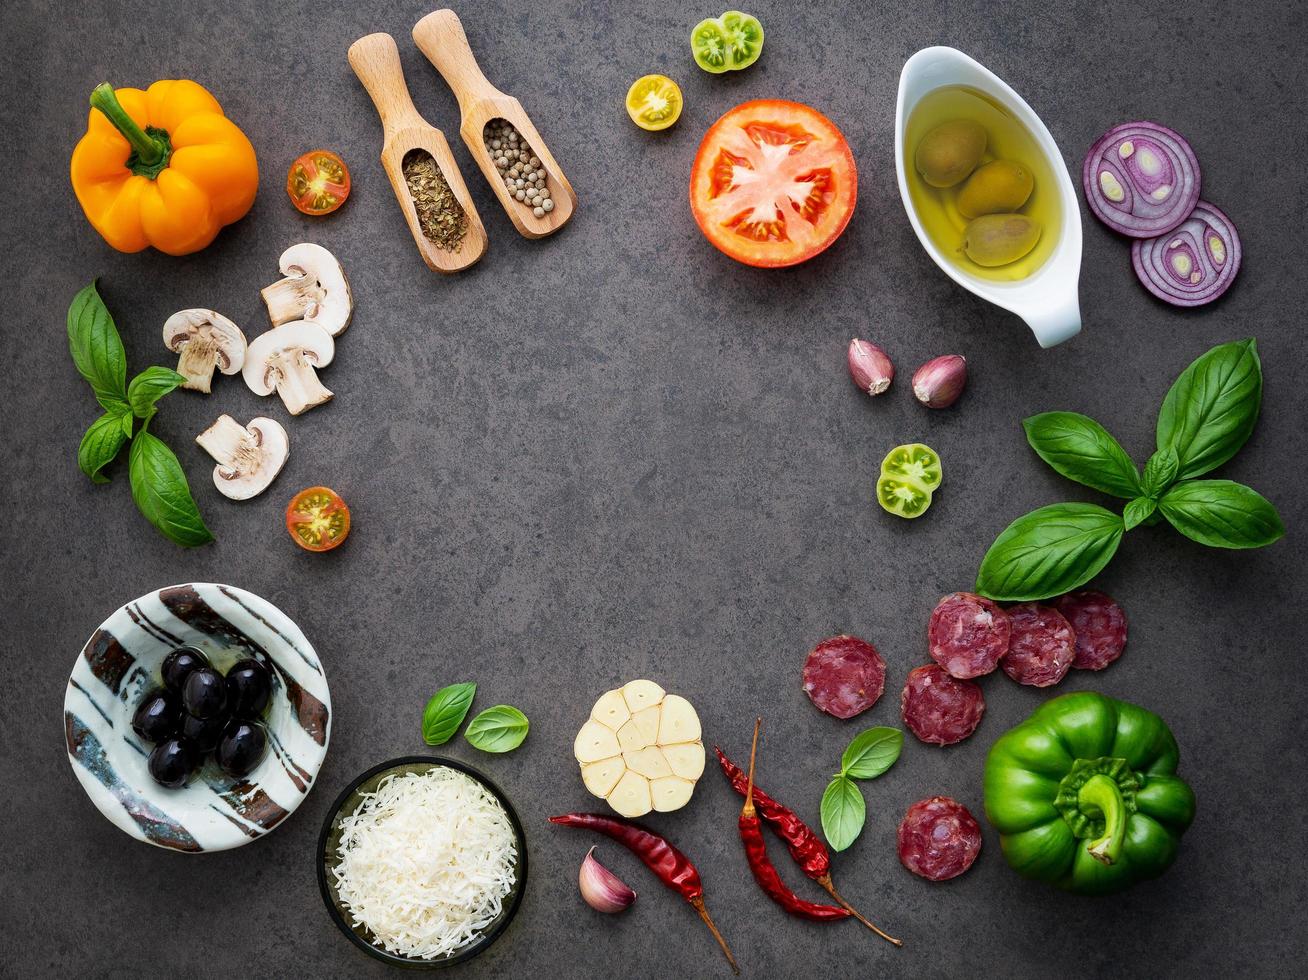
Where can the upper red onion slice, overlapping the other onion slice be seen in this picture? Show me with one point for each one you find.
(1141, 180)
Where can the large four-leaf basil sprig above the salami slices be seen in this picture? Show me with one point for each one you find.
(1208, 415)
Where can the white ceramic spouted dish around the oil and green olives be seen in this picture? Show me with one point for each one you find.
(1047, 299)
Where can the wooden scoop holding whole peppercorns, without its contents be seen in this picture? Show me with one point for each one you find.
(441, 39)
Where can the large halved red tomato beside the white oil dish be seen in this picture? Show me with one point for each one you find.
(774, 184)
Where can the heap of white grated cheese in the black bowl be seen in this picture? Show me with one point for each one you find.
(426, 863)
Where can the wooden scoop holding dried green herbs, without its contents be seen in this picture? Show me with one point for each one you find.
(377, 63)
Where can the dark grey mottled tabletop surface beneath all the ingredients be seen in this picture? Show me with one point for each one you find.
(617, 453)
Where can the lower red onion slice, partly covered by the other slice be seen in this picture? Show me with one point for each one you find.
(1191, 265)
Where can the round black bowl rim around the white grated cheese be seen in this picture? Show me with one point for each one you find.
(330, 839)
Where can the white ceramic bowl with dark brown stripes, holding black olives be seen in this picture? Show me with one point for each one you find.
(121, 664)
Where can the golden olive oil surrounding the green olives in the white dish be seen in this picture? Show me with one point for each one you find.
(1008, 141)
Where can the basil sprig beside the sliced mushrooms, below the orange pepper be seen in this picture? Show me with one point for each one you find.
(159, 485)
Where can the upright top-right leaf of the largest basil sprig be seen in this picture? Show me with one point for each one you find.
(1212, 409)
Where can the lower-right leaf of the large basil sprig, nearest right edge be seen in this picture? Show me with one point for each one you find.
(1222, 515)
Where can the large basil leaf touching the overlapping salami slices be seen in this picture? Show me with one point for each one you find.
(1050, 551)
